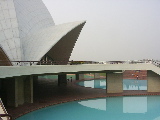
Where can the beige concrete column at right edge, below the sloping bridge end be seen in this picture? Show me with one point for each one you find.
(153, 82)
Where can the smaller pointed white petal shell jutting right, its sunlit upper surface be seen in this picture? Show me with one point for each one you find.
(38, 44)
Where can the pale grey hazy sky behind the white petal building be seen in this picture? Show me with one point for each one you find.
(114, 29)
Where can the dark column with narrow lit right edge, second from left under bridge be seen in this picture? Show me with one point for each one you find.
(28, 89)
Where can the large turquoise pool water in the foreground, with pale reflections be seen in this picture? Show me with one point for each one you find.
(111, 108)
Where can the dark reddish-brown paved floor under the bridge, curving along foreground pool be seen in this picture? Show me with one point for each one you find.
(47, 93)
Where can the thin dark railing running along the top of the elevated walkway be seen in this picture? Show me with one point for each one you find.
(32, 63)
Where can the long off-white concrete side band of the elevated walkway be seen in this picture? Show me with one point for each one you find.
(42, 69)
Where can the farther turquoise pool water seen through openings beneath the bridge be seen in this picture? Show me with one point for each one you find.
(128, 84)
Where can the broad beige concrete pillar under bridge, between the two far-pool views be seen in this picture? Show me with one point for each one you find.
(114, 82)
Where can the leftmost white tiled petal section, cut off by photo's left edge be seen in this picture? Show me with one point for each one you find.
(9, 32)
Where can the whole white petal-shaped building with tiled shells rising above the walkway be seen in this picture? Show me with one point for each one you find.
(28, 32)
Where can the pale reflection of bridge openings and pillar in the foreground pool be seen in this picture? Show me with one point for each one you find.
(121, 104)
